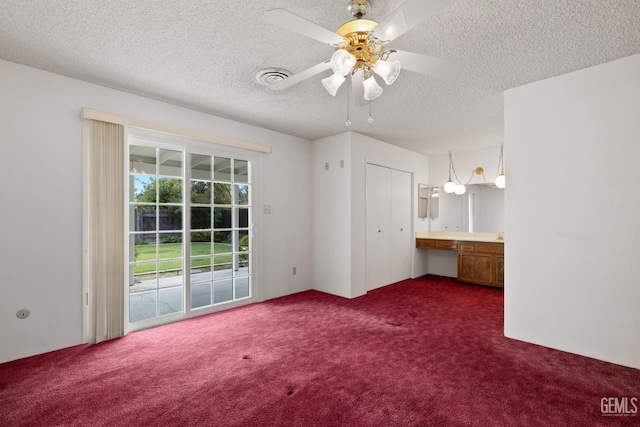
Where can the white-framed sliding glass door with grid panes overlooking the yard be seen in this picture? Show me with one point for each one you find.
(189, 232)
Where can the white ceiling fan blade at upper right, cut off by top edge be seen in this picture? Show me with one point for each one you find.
(407, 16)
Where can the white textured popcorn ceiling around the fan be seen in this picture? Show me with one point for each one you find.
(204, 54)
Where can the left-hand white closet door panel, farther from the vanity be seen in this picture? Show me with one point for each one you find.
(378, 224)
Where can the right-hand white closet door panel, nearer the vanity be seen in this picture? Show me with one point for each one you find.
(401, 239)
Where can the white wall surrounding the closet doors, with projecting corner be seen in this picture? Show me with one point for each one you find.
(340, 205)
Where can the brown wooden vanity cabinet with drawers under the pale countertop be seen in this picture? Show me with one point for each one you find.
(478, 262)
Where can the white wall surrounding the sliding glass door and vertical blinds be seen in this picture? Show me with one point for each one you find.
(41, 264)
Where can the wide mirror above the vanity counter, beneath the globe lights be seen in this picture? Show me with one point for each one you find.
(479, 210)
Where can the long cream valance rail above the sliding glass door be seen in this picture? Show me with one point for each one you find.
(89, 113)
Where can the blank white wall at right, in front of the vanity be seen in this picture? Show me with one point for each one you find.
(572, 215)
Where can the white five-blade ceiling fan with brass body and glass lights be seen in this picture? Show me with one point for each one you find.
(361, 48)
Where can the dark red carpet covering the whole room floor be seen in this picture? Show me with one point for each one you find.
(424, 352)
